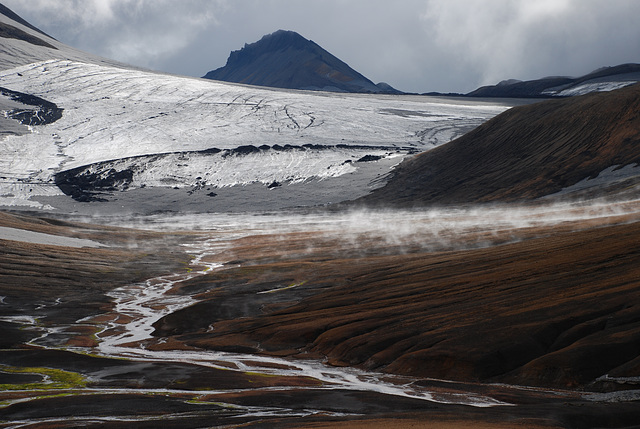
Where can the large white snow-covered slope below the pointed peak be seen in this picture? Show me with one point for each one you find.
(113, 113)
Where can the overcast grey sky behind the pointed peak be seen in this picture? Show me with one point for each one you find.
(414, 45)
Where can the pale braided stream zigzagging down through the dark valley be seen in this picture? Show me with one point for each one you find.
(144, 304)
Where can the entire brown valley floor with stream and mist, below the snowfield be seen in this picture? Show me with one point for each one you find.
(325, 319)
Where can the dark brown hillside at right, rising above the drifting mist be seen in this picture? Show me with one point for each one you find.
(529, 152)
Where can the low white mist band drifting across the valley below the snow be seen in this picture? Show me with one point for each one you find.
(391, 231)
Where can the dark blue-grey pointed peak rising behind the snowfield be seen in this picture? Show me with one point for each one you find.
(285, 59)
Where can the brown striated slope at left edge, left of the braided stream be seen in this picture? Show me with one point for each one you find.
(33, 276)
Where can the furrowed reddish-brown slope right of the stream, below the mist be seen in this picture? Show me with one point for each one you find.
(557, 310)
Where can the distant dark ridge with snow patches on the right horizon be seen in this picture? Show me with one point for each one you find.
(605, 78)
